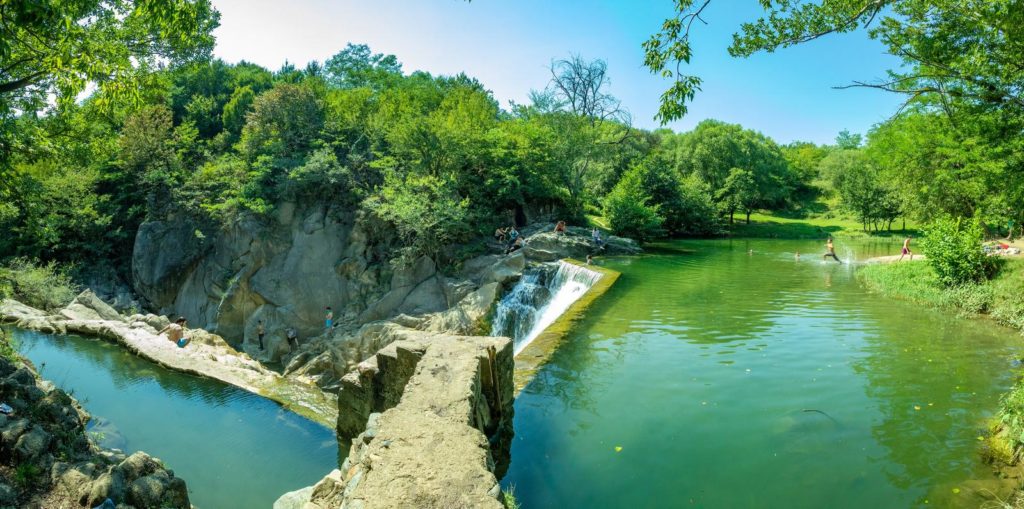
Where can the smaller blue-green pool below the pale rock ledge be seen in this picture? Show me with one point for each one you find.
(234, 449)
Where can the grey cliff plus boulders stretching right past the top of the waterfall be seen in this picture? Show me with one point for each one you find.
(285, 272)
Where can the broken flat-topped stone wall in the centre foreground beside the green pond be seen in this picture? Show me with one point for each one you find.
(430, 425)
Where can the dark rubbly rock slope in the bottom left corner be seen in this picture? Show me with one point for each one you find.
(47, 459)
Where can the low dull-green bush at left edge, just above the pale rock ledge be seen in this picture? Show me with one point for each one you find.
(46, 287)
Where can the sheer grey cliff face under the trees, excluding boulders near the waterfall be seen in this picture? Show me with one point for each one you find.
(284, 272)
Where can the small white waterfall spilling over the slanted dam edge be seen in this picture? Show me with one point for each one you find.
(542, 295)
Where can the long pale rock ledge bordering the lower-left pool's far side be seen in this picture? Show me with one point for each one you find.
(207, 355)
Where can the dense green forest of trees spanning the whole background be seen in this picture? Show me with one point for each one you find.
(115, 114)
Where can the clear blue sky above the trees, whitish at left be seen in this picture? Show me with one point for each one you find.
(508, 46)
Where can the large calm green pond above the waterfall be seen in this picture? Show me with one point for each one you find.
(732, 380)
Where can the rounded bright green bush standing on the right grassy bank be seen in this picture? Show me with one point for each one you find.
(954, 250)
